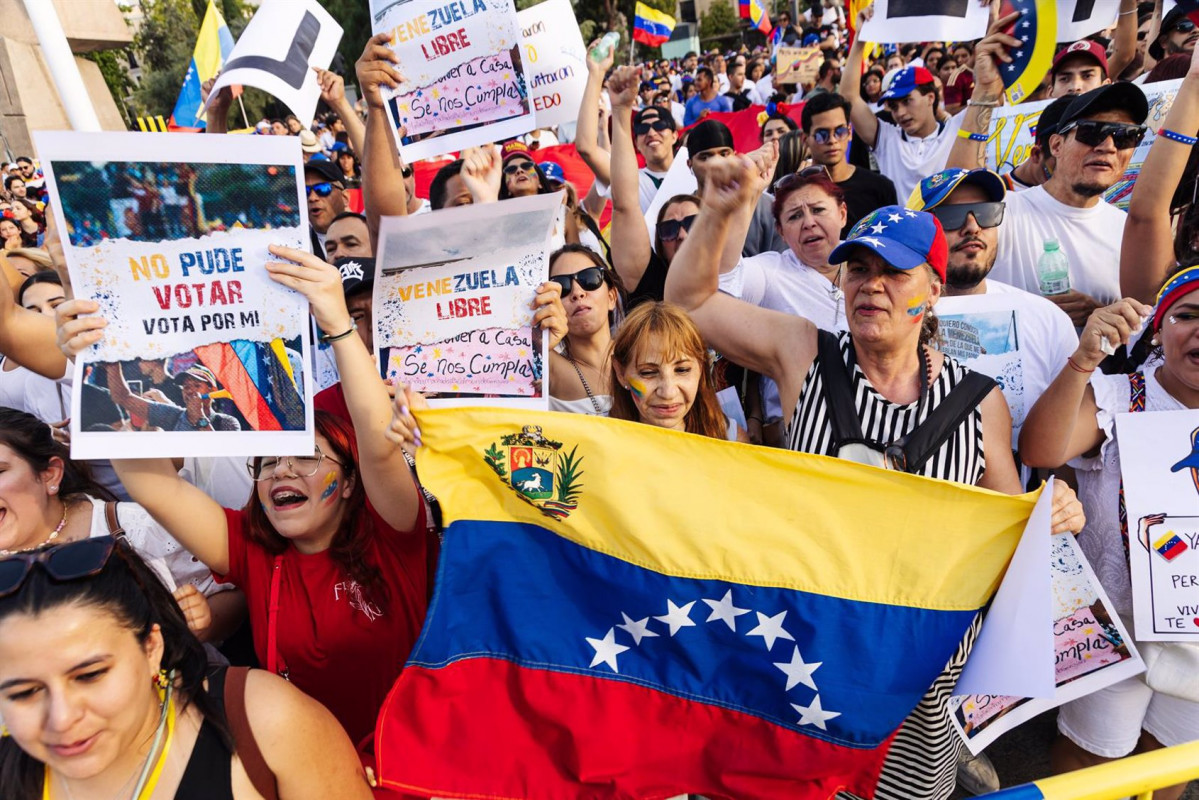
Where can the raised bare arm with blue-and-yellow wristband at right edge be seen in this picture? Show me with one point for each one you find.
(1147, 255)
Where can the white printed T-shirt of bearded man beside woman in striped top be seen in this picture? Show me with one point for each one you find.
(1019, 339)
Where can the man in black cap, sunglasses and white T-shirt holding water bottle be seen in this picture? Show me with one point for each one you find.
(1093, 146)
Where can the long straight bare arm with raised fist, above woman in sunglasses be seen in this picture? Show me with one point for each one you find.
(630, 237)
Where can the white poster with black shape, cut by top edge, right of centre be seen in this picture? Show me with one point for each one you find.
(899, 22)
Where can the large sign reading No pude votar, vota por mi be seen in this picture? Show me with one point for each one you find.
(203, 354)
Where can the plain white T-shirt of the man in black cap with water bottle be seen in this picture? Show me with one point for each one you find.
(1090, 239)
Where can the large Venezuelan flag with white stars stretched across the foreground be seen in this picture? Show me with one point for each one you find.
(629, 612)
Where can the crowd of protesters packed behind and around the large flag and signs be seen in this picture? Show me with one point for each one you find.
(805, 274)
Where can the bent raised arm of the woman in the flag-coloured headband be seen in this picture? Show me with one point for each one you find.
(1062, 425)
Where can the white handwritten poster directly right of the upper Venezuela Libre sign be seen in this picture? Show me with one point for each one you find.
(556, 62)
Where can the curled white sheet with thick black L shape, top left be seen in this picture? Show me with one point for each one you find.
(278, 53)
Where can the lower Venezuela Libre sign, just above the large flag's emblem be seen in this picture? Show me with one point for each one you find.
(453, 302)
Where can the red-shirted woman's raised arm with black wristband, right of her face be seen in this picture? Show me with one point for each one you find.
(383, 468)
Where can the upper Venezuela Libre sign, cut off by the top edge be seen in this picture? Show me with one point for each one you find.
(465, 80)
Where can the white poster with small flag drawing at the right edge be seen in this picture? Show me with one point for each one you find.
(1161, 479)
